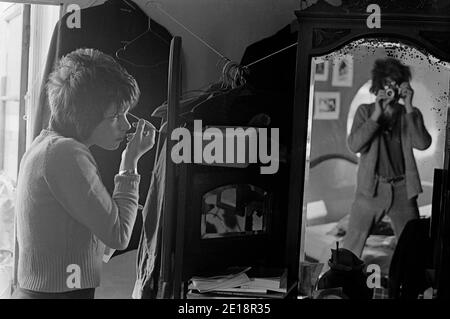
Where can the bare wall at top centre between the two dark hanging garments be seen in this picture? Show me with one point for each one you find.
(229, 26)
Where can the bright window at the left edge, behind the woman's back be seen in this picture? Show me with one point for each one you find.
(25, 33)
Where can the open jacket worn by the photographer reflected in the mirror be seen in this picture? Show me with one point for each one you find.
(364, 139)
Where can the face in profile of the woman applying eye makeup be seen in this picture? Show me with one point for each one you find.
(111, 131)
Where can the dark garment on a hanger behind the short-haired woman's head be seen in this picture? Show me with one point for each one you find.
(105, 27)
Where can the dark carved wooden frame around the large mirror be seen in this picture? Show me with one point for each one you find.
(324, 28)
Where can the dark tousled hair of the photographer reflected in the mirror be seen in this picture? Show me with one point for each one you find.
(389, 67)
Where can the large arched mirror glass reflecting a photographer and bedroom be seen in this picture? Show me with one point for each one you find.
(366, 213)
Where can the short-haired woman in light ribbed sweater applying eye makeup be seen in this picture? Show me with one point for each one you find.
(65, 216)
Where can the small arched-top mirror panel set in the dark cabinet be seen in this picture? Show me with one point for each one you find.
(234, 210)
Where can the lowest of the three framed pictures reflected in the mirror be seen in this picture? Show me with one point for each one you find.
(327, 105)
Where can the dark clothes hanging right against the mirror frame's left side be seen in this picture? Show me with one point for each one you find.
(275, 76)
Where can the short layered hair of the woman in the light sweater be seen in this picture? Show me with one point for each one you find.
(84, 85)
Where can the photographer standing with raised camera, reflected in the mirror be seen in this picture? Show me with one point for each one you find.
(385, 134)
